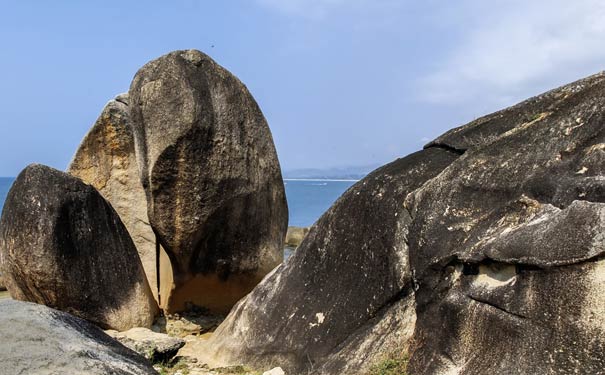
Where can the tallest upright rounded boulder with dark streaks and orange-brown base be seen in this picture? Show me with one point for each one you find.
(215, 194)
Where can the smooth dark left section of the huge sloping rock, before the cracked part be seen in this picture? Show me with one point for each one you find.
(347, 288)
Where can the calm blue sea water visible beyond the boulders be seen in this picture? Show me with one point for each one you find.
(307, 199)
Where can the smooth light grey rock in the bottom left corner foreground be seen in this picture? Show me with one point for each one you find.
(43, 341)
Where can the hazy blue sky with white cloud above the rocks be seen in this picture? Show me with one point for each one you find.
(341, 82)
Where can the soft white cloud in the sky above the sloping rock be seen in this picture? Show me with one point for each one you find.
(517, 47)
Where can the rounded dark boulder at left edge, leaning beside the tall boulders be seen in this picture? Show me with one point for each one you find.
(63, 245)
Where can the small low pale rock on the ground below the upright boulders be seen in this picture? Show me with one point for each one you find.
(157, 347)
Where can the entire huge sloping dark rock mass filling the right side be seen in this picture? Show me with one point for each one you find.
(481, 254)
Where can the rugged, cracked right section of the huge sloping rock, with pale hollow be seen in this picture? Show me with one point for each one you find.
(507, 244)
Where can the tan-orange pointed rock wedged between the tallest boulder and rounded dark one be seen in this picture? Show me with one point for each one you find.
(106, 159)
